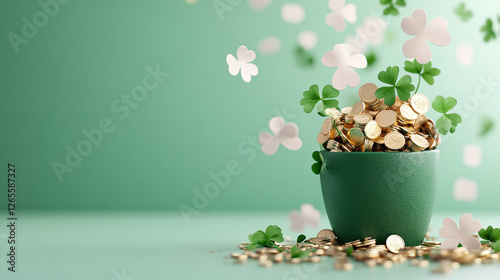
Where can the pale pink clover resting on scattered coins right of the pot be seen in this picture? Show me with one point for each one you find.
(455, 234)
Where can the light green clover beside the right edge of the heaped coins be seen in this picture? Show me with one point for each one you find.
(447, 122)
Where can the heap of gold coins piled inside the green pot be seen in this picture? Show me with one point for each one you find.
(372, 126)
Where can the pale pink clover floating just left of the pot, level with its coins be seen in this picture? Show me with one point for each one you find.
(285, 133)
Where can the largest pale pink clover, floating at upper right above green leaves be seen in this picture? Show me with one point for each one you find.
(435, 33)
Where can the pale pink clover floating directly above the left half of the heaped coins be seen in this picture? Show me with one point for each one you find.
(340, 57)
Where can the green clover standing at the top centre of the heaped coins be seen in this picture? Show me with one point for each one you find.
(403, 87)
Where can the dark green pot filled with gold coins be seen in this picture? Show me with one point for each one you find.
(376, 194)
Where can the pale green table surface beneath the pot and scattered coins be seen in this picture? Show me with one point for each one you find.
(145, 245)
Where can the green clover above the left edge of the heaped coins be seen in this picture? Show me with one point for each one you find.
(311, 98)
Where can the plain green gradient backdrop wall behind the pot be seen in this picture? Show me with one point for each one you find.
(66, 77)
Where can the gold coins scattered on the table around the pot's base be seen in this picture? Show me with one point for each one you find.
(325, 245)
